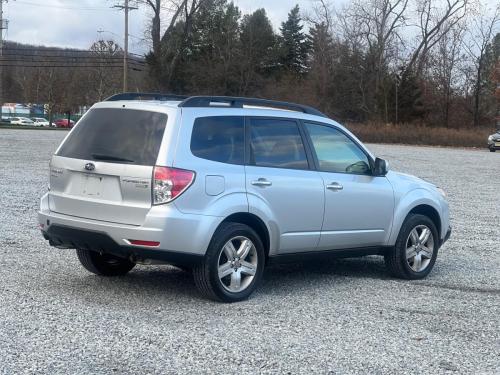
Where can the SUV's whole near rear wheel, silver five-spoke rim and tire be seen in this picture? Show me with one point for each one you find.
(233, 264)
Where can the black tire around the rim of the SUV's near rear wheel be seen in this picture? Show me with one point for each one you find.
(206, 275)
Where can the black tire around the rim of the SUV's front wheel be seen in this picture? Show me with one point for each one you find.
(395, 259)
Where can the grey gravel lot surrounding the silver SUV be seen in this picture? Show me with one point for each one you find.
(343, 316)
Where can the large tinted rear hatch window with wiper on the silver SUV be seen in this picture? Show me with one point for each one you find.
(116, 135)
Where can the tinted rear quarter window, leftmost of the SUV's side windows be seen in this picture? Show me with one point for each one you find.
(219, 138)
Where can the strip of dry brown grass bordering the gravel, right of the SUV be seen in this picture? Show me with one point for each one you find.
(410, 134)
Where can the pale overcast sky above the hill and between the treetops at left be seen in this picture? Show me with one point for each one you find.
(75, 23)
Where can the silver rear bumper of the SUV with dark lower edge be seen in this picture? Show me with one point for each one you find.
(175, 231)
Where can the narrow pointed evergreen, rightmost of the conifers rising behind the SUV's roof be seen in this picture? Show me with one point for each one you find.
(294, 43)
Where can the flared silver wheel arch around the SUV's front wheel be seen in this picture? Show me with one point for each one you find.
(408, 202)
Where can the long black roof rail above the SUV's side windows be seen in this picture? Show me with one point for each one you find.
(238, 102)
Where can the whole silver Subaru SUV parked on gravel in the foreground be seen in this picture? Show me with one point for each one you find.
(225, 185)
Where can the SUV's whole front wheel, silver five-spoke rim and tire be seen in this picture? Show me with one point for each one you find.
(416, 249)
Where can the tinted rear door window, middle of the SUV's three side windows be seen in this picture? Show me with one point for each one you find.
(277, 143)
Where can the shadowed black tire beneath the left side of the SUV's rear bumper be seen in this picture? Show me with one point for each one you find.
(104, 264)
